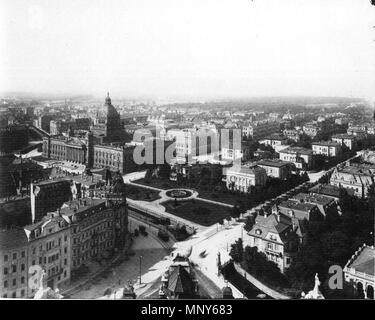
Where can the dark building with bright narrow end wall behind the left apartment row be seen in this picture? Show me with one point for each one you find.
(47, 196)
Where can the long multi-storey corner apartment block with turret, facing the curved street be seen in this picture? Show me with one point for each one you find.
(98, 228)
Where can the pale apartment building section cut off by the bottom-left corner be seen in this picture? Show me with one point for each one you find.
(14, 264)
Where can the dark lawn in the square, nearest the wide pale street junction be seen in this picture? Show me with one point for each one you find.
(197, 211)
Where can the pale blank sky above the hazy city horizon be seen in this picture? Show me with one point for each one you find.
(188, 48)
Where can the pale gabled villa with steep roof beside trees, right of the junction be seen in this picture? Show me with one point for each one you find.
(277, 236)
